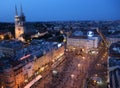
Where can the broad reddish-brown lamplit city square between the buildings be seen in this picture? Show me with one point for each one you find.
(73, 70)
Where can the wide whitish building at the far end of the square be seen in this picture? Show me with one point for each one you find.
(82, 42)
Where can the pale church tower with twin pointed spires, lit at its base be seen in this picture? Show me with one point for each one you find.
(19, 24)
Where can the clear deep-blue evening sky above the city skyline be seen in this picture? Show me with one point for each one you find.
(61, 10)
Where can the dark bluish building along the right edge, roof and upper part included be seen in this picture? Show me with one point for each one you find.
(114, 66)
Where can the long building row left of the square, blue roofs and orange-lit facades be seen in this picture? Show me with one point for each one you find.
(28, 62)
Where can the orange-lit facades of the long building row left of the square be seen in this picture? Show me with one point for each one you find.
(15, 74)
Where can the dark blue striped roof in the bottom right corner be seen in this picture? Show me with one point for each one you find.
(114, 70)
